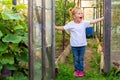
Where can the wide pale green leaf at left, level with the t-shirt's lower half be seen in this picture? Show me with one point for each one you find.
(12, 38)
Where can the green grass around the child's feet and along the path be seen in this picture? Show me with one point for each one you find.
(65, 70)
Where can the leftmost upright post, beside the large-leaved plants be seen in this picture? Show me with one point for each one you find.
(30, 36)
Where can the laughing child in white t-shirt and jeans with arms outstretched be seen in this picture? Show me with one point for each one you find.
(78, 41)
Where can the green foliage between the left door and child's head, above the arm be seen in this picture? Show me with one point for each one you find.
(61, 10)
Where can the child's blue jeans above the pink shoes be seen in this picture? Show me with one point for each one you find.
(78, 57)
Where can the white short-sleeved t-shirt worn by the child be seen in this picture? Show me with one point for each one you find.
(77, 33)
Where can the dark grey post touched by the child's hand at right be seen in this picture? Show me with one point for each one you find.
(107, 34)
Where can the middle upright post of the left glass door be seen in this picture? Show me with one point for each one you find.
(43, 40)
